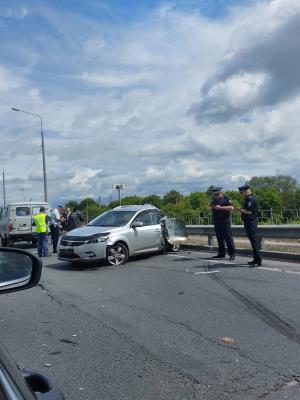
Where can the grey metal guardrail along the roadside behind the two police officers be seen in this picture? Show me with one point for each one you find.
(263, 232)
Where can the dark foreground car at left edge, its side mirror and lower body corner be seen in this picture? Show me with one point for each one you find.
(21, 270)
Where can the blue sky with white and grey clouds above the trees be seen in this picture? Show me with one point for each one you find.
(156, 95)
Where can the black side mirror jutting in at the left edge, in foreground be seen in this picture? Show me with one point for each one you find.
(19, 270)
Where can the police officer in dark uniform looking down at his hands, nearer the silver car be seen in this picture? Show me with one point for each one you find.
(221, 207)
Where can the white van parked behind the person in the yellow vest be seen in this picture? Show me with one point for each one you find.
(16, 222)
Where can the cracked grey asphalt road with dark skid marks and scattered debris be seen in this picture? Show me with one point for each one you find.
(168, 327)
